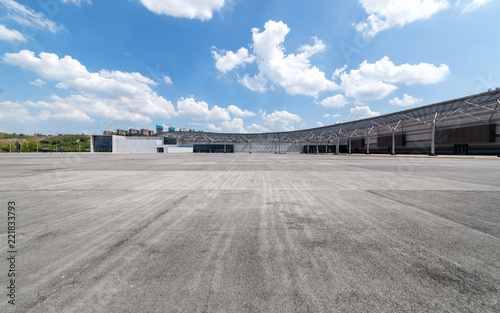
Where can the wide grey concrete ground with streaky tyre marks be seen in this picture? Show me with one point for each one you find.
(251, 233)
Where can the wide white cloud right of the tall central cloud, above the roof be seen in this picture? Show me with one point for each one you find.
(374, 81)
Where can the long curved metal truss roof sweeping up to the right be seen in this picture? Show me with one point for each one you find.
(474, 107)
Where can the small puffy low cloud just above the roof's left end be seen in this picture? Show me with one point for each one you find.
(199, 111)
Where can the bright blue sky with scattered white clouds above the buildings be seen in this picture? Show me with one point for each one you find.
(73, 66)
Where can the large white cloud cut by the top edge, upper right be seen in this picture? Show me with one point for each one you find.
(385, 14)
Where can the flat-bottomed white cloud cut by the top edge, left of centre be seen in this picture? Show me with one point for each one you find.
(199, 9)
